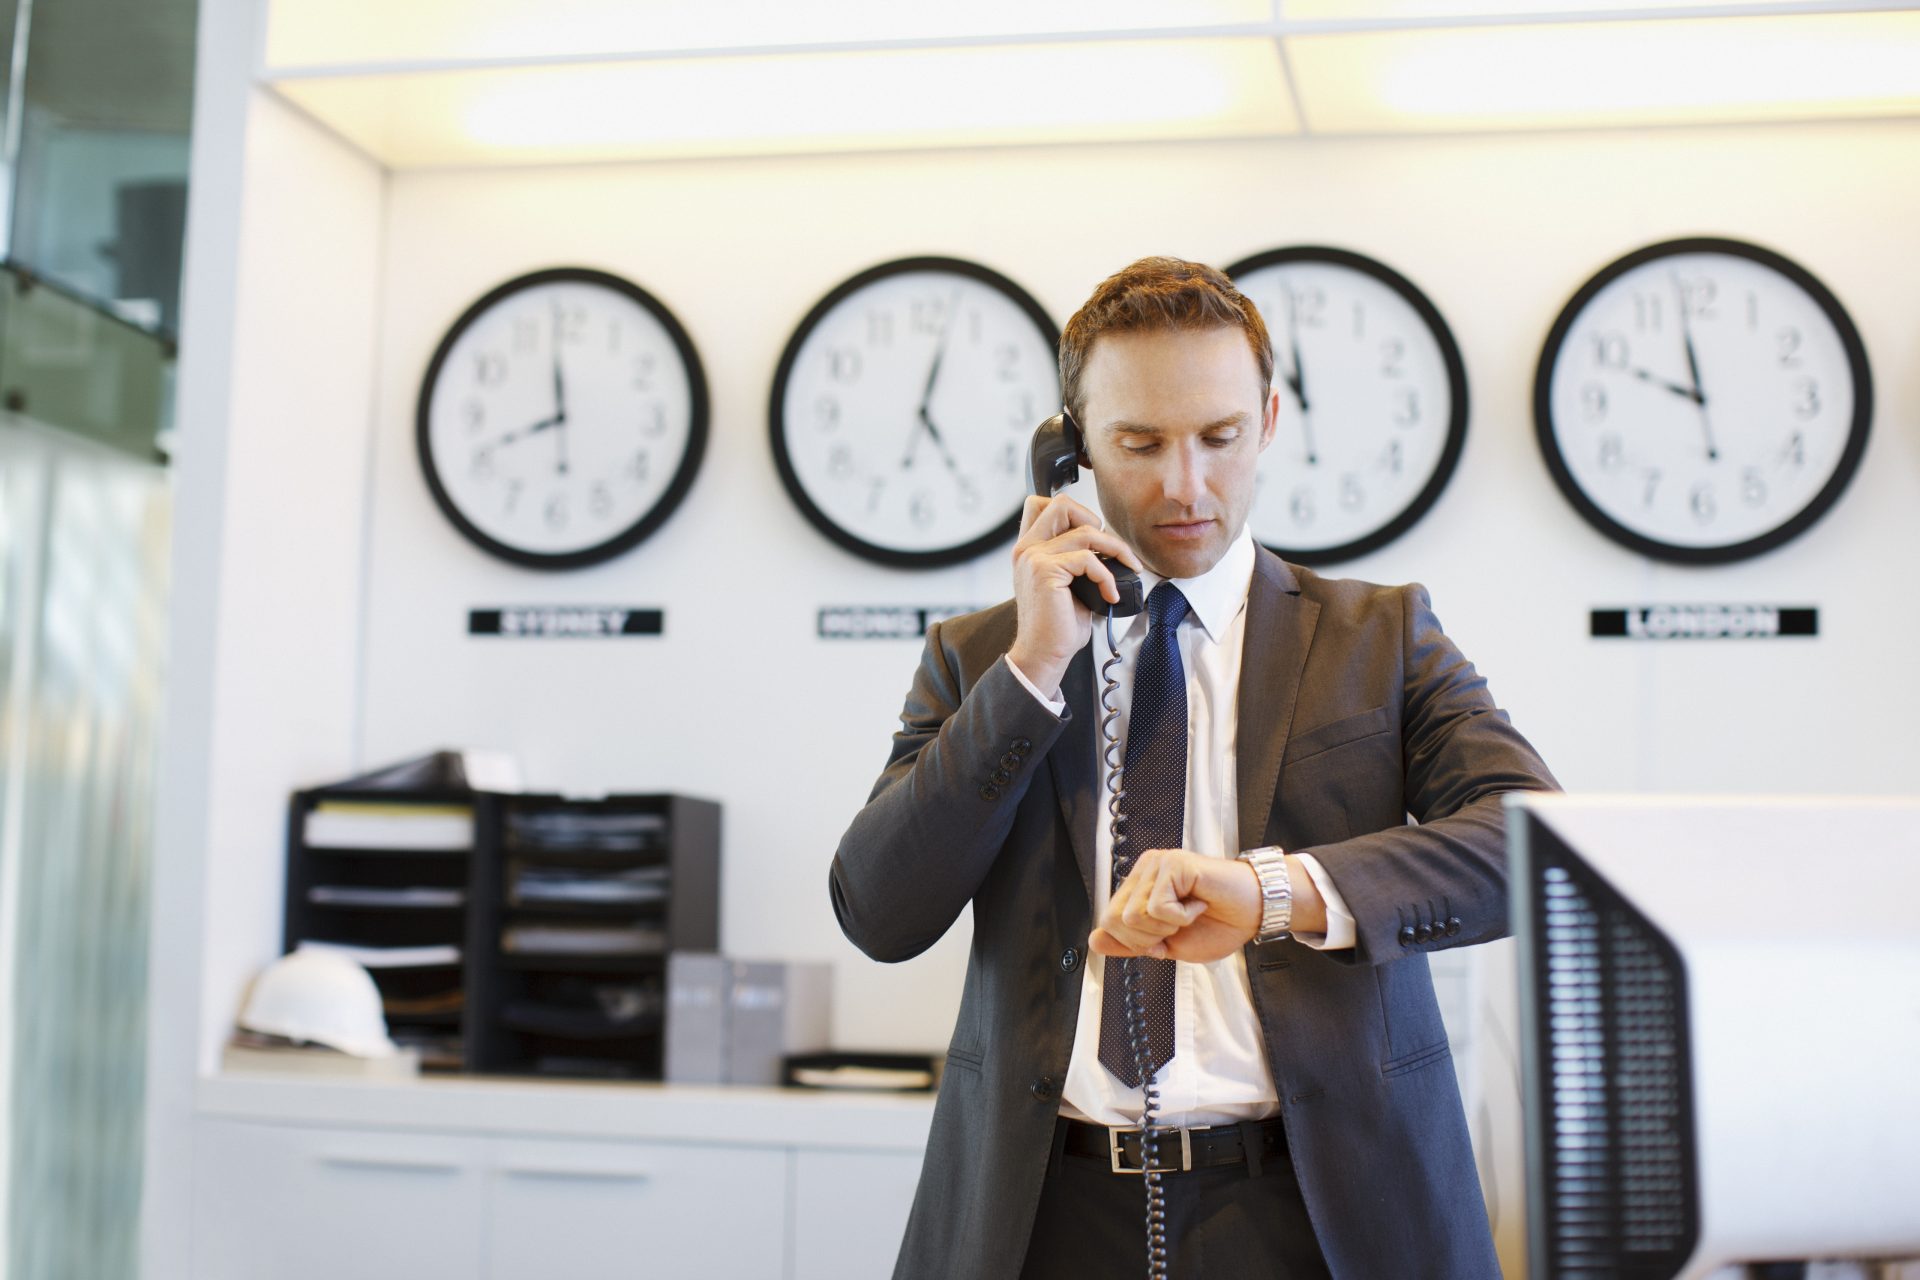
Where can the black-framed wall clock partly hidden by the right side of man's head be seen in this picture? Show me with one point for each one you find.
(1374, 402)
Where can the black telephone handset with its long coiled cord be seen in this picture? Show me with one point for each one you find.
(1059, 452)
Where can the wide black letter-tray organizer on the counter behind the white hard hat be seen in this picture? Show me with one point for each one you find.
(525, 1012)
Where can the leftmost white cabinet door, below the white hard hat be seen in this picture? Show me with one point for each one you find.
(324, 1204)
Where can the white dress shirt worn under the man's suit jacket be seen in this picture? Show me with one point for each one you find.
(1220, 1072)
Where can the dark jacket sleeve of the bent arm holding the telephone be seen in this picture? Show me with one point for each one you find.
(942, 809)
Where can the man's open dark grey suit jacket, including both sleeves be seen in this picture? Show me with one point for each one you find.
(1355, 715)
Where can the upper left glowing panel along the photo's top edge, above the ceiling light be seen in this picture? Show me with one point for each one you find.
(304, 34)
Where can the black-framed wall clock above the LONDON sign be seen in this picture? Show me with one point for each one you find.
(1704, 400)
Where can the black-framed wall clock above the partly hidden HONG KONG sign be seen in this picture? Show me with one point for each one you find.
(903, 408)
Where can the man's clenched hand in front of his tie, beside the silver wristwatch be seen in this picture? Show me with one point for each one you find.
(1182, 905)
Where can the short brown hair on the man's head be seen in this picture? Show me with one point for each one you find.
(1159, 295)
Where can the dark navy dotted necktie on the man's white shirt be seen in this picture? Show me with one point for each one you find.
(1155, 780)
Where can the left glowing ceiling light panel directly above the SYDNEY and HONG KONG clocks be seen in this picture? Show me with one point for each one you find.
(809, 103)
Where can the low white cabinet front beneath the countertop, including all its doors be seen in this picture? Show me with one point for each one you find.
(335, 1202)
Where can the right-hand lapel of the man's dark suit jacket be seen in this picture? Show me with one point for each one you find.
(1280, 630)
